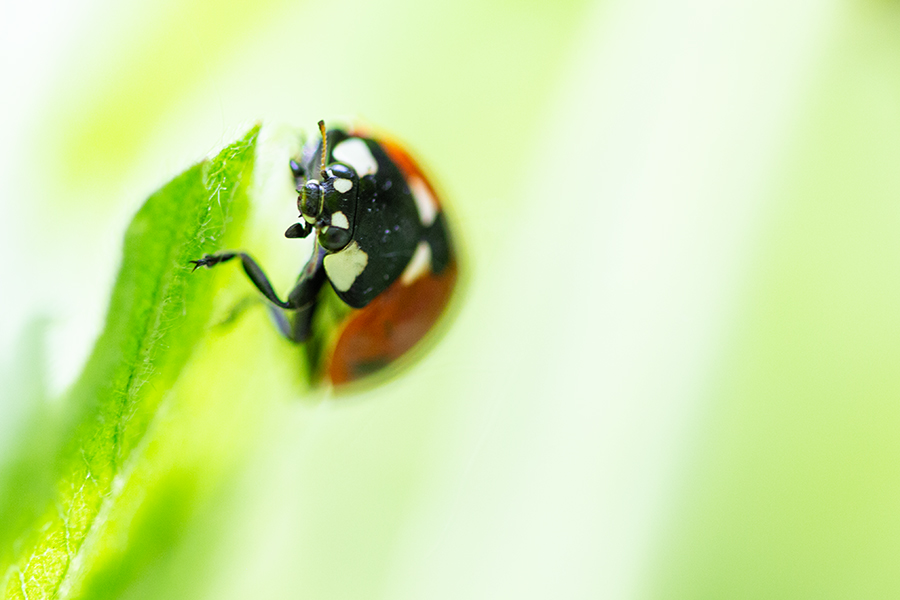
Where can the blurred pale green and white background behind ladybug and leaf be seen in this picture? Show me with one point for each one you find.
(673, 369)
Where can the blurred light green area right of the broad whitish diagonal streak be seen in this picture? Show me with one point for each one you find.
(793, 489)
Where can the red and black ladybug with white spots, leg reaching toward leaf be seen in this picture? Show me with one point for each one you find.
(383, 246)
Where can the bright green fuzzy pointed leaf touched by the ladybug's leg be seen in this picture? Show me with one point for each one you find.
(157, 316)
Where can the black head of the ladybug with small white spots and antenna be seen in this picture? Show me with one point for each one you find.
(328, 204)
